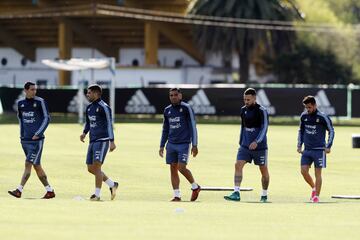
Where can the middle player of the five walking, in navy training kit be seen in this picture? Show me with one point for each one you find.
(179, 130)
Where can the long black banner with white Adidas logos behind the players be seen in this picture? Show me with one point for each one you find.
(204, 101)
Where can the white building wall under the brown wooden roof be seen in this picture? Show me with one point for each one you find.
(191, 72)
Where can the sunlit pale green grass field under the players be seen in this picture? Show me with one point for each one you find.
(142, 209)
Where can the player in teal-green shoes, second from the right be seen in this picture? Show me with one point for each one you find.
(253, 144)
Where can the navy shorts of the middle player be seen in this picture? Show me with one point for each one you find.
(177, 153)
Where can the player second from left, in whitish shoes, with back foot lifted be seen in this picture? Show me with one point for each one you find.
(98, 122)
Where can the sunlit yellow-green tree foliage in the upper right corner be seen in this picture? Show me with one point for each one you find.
(344, 41)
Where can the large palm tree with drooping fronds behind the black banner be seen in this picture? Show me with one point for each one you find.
(243, 41)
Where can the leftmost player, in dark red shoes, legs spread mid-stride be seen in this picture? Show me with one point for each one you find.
(34, 118)
